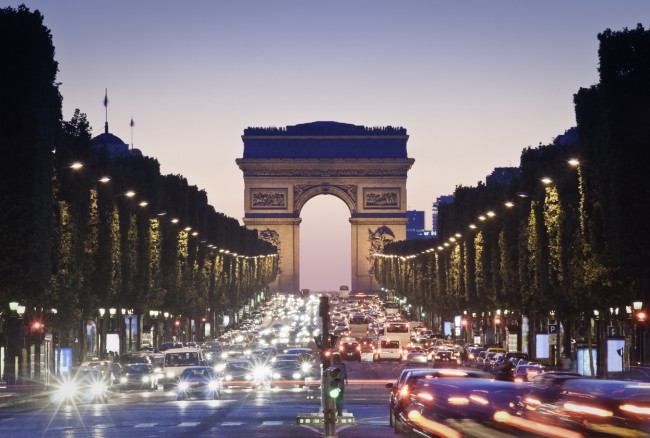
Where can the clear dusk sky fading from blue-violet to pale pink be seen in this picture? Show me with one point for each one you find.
(473, 82)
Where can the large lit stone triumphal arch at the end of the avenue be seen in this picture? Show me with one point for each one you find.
(364, 167)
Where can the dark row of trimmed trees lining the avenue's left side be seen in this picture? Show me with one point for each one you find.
(71, 242)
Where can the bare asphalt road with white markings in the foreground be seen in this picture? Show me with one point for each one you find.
(241, 413)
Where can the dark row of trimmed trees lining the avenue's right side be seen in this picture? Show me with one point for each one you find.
(575, 243)
